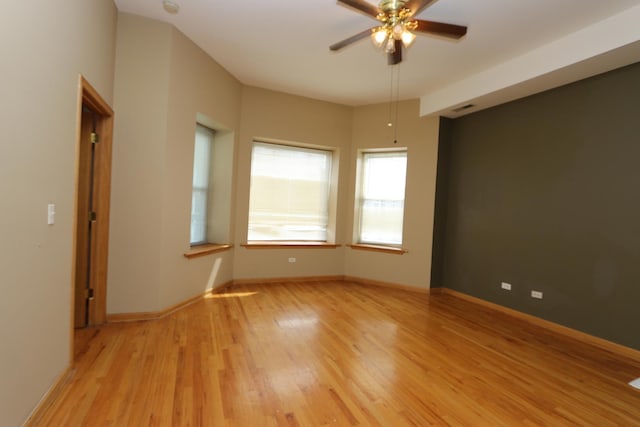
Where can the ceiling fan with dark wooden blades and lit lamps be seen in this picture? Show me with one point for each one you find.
(396, 26)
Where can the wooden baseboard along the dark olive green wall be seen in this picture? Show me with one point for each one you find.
(601, 343)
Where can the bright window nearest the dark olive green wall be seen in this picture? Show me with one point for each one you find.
(380, 204)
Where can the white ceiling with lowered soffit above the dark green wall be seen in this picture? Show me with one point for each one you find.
(512, 48)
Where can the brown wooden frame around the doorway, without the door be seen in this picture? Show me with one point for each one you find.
(88, 96)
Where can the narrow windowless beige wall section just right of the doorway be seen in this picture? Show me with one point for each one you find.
(141, 99)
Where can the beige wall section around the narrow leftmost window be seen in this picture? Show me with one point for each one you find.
(198, 85)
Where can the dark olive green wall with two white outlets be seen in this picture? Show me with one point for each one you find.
(543, 193)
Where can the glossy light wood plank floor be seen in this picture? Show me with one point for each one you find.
(339, 354)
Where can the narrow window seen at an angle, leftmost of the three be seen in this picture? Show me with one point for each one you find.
(201, 180)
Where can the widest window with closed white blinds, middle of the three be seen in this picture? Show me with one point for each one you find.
(290, 193)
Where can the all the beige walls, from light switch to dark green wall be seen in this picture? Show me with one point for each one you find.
(161, 82)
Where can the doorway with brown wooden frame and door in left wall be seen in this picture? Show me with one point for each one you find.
(92, 203)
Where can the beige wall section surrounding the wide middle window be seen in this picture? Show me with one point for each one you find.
(277, 116)
